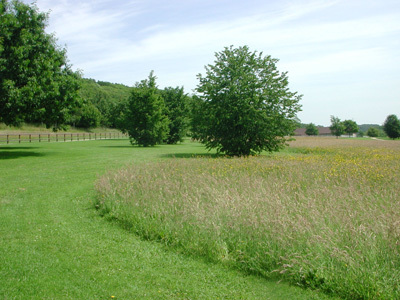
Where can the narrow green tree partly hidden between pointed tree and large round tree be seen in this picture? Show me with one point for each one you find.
(177, 111)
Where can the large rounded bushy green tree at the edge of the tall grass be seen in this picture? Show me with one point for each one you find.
(245, 103)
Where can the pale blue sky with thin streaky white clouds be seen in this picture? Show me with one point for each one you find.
(343, 56)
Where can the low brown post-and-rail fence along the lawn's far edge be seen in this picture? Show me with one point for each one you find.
(58, 137)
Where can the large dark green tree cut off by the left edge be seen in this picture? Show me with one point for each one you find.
(36, 82)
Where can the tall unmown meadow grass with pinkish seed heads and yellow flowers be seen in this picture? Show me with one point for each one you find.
(319, 216)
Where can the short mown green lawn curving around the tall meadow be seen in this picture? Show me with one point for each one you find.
(54, 245)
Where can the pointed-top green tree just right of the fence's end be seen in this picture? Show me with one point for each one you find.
(143, 116)
